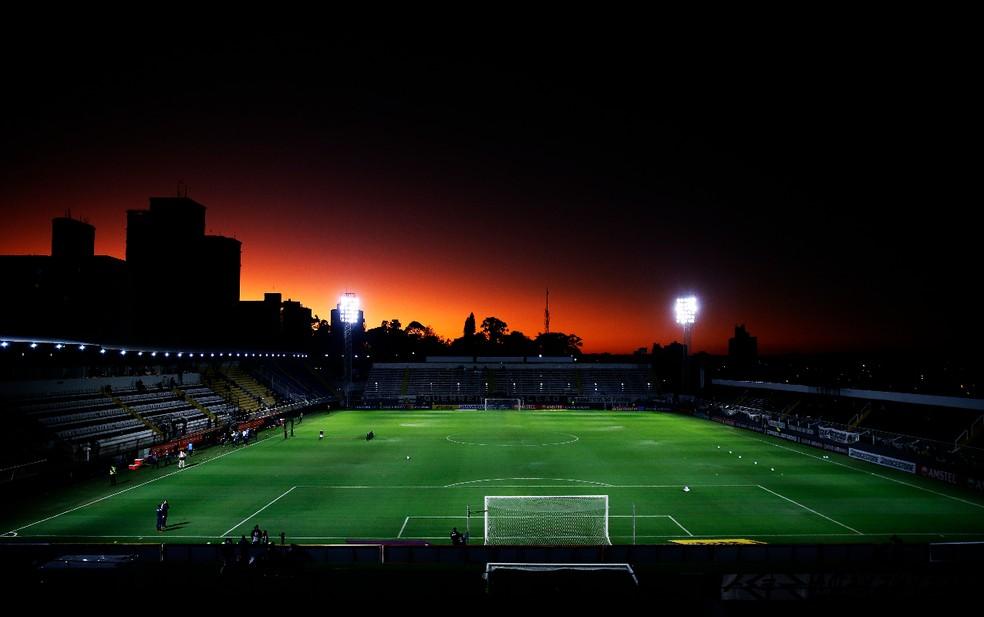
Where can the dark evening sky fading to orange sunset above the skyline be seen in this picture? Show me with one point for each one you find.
(812, 185)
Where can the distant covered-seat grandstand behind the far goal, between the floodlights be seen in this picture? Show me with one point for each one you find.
(534, 380)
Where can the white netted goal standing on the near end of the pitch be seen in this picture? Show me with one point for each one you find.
(550, 519)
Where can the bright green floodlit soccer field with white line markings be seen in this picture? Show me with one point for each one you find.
(742, 485)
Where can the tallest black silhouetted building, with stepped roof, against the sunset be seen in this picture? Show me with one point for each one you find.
(185, 284)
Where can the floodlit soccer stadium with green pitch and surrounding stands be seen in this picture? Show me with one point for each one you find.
(569, 462)
